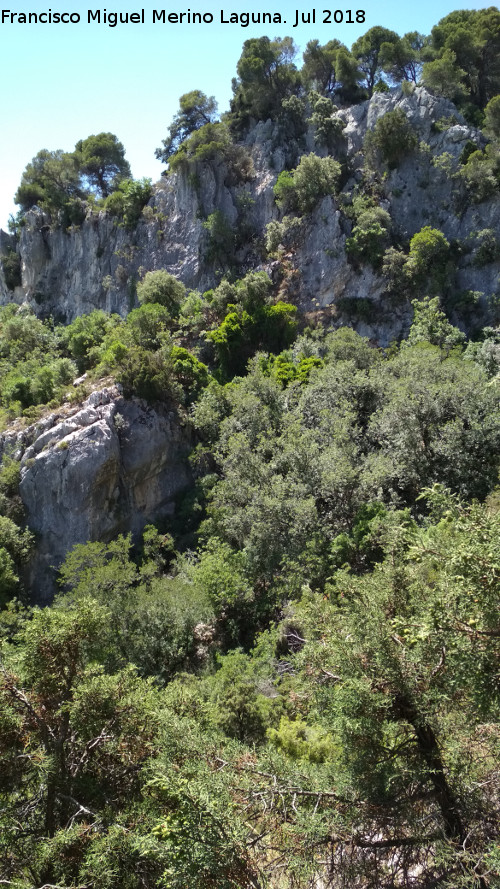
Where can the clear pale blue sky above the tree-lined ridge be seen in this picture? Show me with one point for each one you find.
(61, 83)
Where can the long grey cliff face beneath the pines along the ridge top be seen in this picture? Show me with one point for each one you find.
(97, 265)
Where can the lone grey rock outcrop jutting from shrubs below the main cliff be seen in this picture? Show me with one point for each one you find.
(90, 473)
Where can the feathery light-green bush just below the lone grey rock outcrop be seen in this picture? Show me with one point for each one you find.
(153, 617)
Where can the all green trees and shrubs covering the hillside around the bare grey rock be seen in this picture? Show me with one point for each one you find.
(291, 682)
